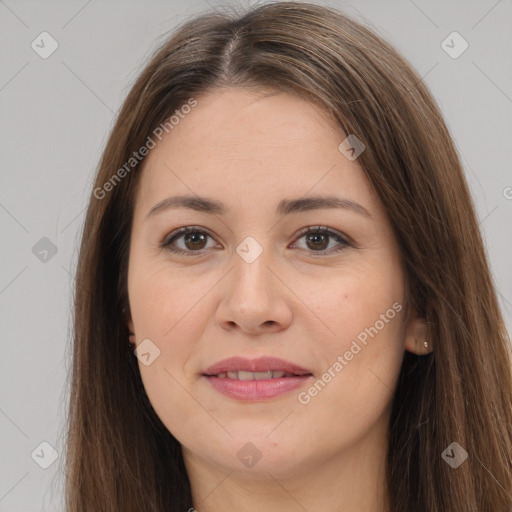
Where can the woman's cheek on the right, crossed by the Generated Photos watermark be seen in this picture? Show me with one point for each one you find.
(359, 341)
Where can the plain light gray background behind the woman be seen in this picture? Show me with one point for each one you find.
(56, 114)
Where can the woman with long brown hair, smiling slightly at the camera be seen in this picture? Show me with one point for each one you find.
(282, 298)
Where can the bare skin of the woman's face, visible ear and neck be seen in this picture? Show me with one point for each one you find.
(251, 150)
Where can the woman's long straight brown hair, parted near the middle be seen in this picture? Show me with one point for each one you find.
(120, 457)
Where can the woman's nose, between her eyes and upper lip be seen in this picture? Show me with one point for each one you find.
(255, 298)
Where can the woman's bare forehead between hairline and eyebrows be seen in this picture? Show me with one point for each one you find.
(252, 149)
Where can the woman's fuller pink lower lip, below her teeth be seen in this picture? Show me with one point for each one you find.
(252, 390)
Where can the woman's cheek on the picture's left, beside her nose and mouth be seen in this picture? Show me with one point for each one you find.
(167, 309)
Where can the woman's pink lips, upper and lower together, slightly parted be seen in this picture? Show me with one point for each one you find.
(256, 390)
